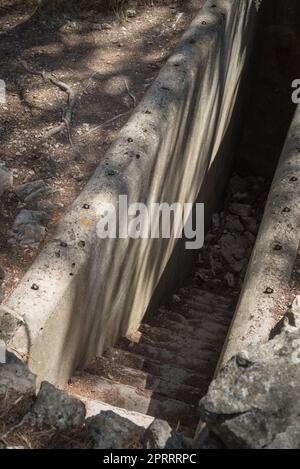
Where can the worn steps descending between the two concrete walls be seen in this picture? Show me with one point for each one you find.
(164, 368)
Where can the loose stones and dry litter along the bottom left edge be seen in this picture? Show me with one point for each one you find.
(54, 419)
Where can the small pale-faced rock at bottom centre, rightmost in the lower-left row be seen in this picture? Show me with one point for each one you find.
(161, 436)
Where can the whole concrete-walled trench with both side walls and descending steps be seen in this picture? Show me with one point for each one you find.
(97, 311)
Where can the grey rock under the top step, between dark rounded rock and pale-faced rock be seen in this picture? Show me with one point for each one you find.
(108, 430)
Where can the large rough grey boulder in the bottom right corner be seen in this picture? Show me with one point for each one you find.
(254, 402)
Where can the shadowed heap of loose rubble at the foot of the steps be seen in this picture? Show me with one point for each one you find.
(228, 245)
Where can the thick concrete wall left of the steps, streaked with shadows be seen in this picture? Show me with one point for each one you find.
(82, 293)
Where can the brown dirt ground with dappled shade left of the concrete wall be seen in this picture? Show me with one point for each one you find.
(108, 59)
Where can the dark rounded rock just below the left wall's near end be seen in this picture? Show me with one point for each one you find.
(55, 408)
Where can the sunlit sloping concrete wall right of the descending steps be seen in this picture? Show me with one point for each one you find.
(274, 253)
